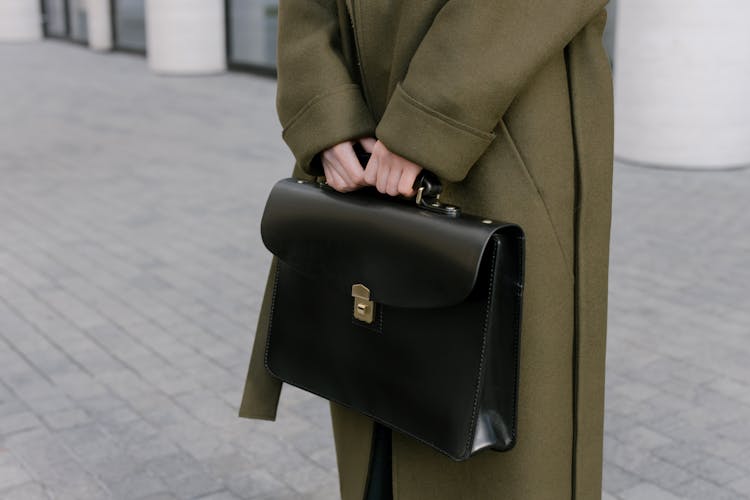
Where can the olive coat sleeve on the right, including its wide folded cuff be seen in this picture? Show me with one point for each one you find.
(474, 59)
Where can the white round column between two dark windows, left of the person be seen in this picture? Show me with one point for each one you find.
(185, 36)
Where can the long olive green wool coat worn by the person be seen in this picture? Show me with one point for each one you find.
(510, 103)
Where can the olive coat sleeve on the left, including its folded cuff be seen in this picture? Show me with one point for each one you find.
(317, 101)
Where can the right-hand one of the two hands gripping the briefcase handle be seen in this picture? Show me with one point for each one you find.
(389, 172)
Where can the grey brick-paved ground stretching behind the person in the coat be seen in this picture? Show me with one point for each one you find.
(131, 271)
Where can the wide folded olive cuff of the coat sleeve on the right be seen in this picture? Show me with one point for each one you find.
(436, 142)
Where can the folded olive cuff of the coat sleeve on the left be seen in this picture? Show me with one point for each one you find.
(326, 120)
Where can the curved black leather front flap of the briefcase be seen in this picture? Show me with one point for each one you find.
(406, 256)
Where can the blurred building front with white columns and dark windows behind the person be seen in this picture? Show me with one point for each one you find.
(681, 67)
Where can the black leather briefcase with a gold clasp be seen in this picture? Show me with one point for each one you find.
(407, 312)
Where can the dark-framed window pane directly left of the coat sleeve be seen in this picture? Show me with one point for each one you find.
(251, 32)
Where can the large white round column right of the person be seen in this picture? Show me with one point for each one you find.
(682, 82)
